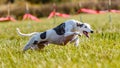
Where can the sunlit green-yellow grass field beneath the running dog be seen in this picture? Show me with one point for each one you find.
(101, 50)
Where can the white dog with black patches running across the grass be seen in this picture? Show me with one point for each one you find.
(69, 31)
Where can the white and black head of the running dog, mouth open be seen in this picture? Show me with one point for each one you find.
(84, 28)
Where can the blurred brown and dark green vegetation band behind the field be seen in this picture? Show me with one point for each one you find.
(42, 8)
